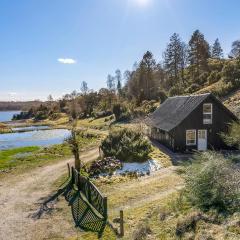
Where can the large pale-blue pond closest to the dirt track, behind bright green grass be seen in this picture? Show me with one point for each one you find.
(33, 138)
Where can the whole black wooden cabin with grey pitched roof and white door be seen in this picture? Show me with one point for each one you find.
(192, 122)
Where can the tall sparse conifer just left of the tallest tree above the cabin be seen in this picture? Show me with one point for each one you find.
(175, 59)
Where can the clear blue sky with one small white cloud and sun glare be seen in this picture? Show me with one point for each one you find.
(51, 46)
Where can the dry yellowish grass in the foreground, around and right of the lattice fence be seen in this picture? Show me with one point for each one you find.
(154, 208)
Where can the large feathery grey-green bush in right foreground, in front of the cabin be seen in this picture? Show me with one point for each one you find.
(212, 182)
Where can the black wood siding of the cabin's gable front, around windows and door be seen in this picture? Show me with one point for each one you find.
(220, 122)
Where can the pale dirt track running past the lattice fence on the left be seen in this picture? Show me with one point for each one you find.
(21, 195)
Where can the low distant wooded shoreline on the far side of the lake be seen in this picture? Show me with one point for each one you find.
(21, 106)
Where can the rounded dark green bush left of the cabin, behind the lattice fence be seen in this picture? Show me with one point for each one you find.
(126, 145)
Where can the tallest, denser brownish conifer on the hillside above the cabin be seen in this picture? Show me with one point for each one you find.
(199, 53)
